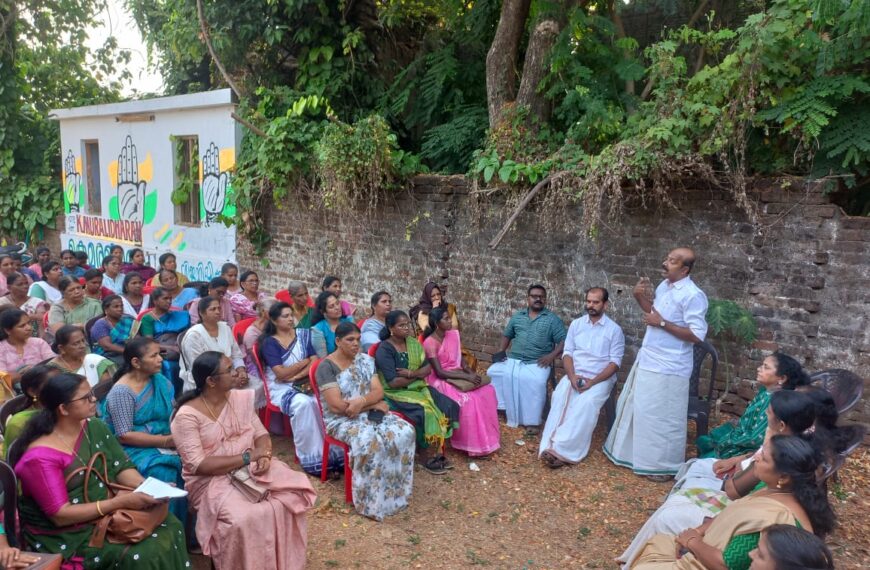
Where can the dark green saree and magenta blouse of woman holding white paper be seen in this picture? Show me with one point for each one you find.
(44, 472)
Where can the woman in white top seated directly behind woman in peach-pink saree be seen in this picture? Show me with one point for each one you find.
(212, 334)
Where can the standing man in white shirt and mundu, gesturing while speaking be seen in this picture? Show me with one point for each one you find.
(649, 435)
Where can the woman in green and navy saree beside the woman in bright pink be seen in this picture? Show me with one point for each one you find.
(402, 368)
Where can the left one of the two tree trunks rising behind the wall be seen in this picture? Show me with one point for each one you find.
(501, 60)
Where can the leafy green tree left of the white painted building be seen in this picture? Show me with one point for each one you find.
(44, 64)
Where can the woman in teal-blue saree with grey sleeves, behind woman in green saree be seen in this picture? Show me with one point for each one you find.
(137, 411)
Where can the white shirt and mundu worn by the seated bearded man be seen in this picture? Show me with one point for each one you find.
(592, 346)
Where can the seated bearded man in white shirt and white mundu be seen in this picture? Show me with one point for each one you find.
(592, 356)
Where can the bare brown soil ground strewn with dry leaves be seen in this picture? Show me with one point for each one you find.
(517, 513)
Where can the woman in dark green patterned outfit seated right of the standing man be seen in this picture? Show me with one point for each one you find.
(777, 372)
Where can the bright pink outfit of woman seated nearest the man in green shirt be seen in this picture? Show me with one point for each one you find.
(478, 431)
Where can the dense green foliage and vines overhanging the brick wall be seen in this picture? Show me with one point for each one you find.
(638, 94)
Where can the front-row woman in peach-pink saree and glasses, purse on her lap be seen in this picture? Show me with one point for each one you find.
(216, 433)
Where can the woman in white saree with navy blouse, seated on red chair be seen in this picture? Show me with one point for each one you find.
(287, 353)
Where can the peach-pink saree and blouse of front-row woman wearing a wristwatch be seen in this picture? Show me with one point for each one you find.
(236, 533)
